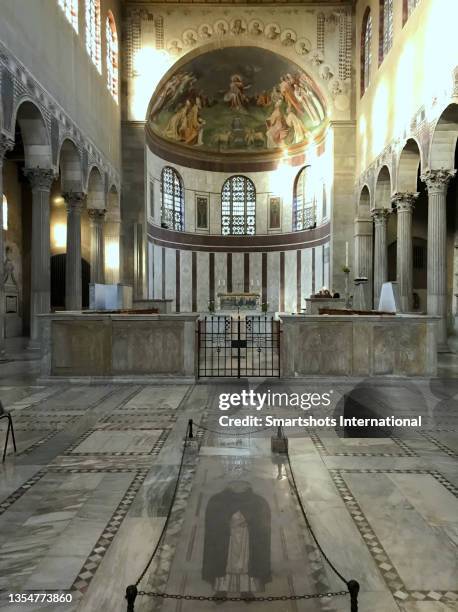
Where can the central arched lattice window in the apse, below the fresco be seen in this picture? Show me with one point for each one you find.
(238, 207)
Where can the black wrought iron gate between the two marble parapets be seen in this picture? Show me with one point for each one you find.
(240, 346)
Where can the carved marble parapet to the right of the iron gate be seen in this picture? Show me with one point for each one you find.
(358, 345)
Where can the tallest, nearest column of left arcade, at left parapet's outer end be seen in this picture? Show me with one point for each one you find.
(40, 180)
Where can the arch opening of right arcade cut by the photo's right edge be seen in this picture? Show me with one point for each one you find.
(443, 142)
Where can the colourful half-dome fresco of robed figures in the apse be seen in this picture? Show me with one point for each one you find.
(238, 99)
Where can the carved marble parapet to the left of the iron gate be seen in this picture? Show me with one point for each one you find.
(118, 345)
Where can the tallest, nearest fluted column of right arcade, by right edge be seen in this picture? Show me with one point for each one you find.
(437, 183)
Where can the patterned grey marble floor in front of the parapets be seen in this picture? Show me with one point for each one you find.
(85, 498)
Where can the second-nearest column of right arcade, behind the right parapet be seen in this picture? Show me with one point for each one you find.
(404, 203)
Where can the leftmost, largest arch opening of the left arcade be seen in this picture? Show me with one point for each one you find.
(35, 135)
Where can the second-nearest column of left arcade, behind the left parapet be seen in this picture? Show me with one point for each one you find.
(73, 297)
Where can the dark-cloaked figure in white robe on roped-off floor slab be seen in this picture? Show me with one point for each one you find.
(237, 556)
